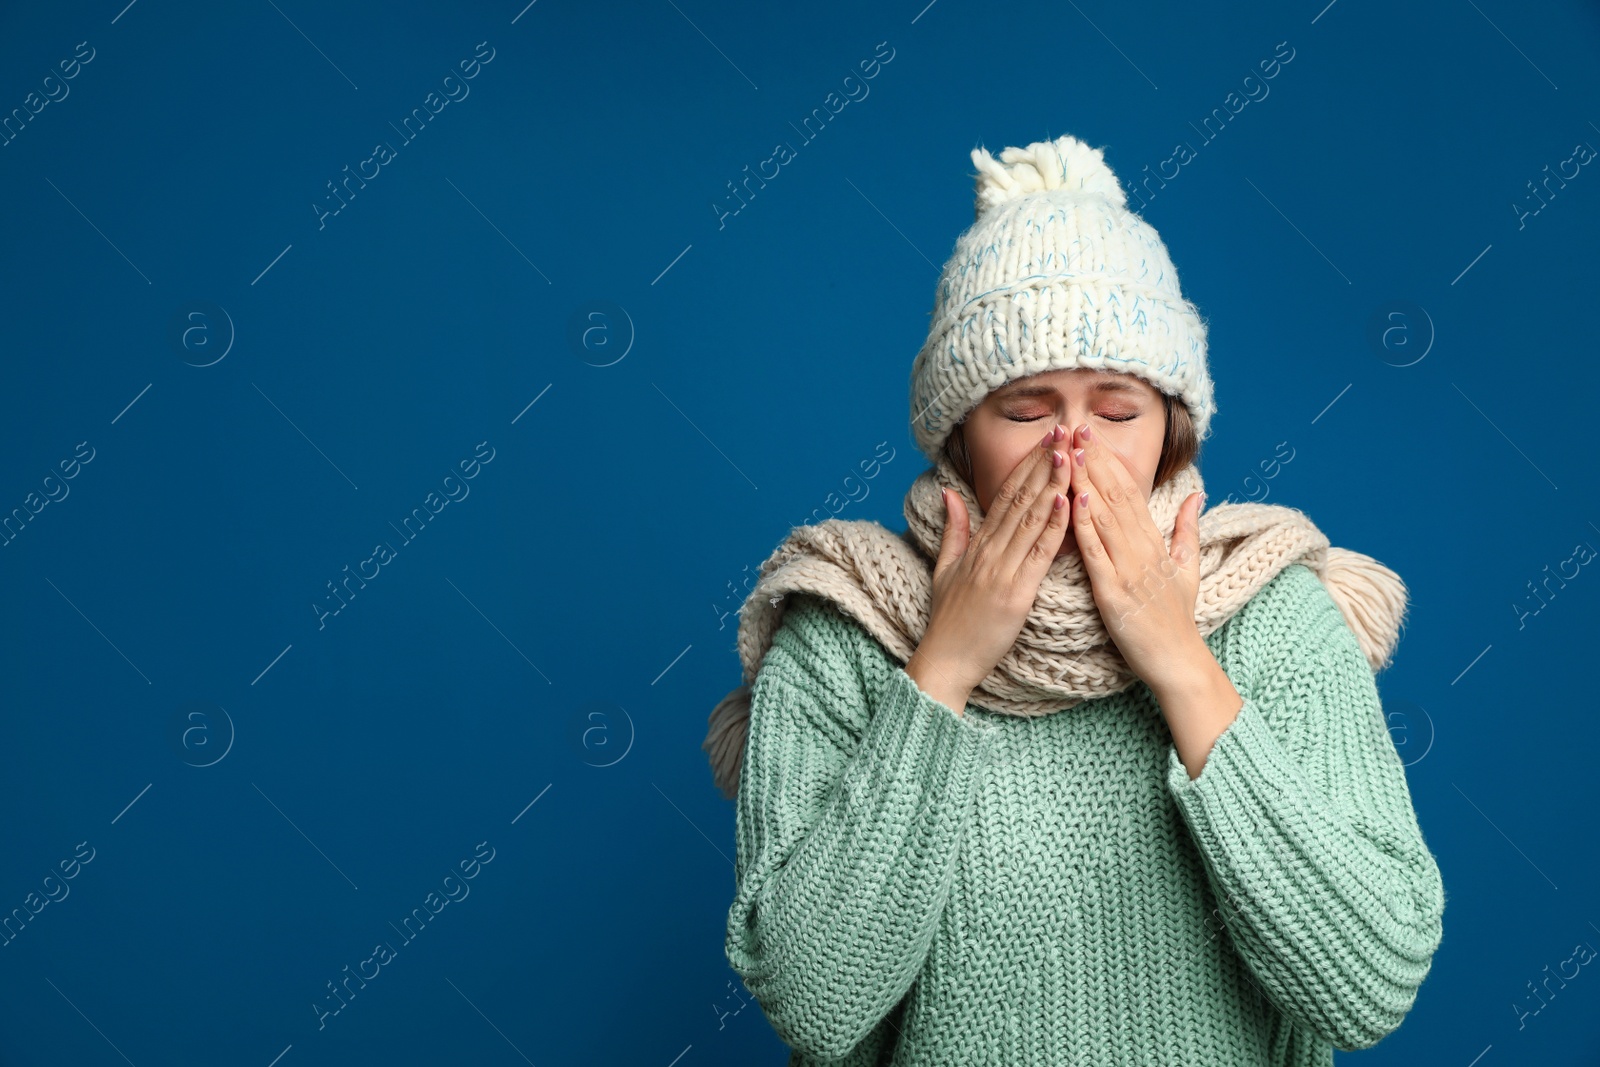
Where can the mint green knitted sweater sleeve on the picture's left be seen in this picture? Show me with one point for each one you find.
(854, 804)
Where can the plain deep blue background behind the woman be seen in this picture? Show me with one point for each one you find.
(665, 390)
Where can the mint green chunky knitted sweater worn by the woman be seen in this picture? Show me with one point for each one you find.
(919, 887)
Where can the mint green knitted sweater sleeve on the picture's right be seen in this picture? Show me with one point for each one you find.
(1305, 823)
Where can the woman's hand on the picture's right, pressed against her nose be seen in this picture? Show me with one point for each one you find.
(1146, 594)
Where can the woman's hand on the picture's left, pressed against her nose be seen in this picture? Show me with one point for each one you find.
(985, 585)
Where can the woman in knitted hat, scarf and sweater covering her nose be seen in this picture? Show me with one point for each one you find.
(1070, 773)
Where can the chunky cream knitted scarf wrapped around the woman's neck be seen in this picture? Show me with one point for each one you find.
(1065, 653)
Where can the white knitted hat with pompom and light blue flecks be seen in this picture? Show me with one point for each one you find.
(1055, 273)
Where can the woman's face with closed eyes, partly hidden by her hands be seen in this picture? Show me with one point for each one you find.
(1126, 412)
